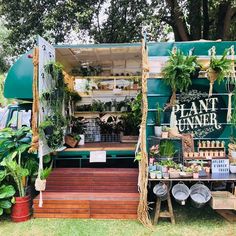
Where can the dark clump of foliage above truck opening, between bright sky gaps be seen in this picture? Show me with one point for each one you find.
(124, 20)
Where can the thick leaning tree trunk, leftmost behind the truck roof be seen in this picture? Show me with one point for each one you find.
(178, 22)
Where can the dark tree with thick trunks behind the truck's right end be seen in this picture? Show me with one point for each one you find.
(198, 19)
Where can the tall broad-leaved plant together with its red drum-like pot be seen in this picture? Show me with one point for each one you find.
(14, 145)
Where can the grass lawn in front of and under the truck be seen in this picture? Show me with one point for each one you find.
(189, 221)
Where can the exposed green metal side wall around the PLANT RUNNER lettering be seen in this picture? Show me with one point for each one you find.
(159, 92)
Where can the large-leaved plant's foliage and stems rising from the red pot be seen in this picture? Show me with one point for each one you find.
(15, 159)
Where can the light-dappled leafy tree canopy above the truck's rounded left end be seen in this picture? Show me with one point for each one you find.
(53, 19)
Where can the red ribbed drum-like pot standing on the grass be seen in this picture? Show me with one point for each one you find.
(21, 209)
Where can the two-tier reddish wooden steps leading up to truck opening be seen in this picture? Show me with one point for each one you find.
(90, 193)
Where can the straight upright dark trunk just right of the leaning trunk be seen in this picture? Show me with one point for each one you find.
(194, 16)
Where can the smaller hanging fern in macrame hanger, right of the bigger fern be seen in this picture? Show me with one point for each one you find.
(218, 69)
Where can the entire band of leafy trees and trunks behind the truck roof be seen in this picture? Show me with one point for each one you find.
(117, 21)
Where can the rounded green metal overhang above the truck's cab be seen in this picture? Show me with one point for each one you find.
(18, 84)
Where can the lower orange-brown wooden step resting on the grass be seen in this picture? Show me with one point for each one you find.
(87, 205)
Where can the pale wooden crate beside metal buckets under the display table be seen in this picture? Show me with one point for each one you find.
(223, 200)
